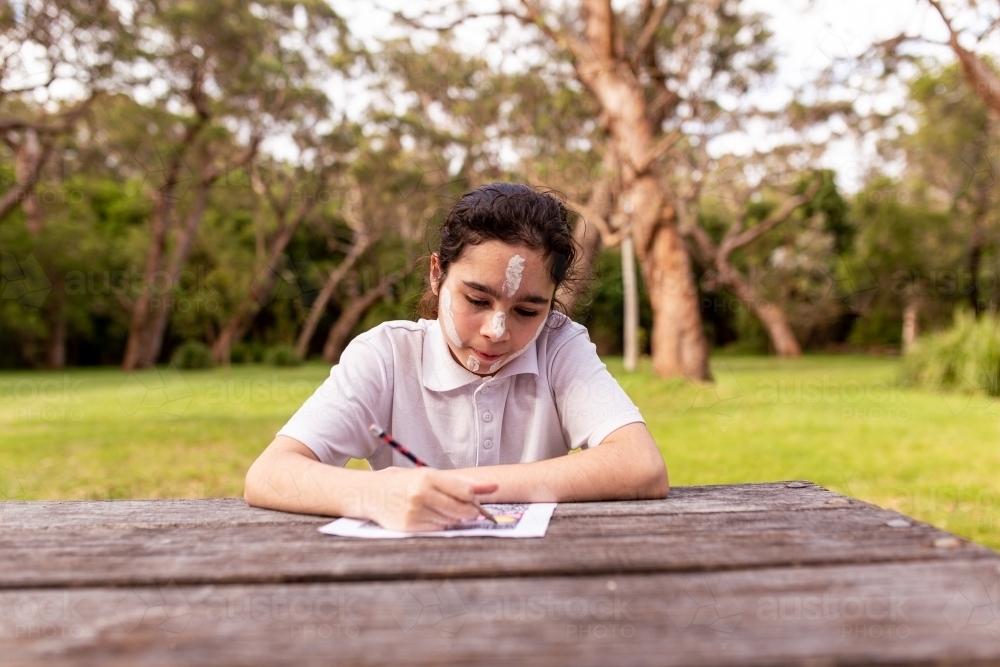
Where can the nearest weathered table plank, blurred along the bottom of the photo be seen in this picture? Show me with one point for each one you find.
(880, 614)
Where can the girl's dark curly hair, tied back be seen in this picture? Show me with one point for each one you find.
(512, 213)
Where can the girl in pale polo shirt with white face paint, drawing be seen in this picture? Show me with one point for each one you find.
(491, 388)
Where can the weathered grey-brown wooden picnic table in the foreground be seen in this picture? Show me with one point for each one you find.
(751, 574)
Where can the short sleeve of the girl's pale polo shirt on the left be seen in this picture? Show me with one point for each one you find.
(334, 421)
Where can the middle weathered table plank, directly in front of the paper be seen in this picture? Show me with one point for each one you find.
(573, 546)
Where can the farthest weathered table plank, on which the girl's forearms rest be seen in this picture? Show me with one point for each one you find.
(21, 515)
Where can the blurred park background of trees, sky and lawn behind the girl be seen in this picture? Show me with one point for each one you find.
(789, 209)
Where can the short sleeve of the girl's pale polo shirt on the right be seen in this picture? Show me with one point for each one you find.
(590, 401)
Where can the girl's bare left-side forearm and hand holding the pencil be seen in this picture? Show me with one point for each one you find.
(287, 476)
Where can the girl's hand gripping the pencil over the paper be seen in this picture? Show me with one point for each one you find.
(421, 499)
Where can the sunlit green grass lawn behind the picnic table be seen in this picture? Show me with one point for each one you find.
(836, 420)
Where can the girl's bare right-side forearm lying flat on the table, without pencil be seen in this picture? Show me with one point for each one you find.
(627, 465)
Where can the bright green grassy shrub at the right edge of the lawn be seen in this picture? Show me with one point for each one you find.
(965, 358)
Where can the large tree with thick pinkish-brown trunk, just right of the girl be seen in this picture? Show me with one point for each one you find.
(650, 70)
